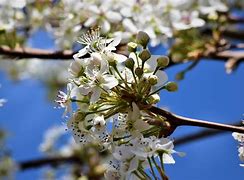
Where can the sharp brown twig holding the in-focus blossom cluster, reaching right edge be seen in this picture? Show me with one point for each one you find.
(176, 121)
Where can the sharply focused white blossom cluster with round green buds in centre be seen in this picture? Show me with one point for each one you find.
(113, 94)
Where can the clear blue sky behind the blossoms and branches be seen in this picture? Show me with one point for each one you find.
(207, 92)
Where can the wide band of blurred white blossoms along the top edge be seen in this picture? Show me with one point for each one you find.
(66, 18)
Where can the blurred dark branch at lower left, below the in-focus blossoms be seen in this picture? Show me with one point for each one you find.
(52, 161)
